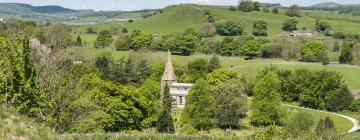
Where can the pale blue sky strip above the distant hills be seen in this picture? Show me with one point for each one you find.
(149, 4)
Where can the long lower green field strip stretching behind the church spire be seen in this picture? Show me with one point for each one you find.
(248, 68)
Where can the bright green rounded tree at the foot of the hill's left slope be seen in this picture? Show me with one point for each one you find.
(139, 39)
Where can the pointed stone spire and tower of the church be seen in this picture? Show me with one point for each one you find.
(169, 76)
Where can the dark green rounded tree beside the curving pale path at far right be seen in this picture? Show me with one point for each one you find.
(340, 100)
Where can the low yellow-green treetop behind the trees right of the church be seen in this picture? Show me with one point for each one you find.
(221, 75)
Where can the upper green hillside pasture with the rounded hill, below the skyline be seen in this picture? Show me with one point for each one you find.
(177, 18)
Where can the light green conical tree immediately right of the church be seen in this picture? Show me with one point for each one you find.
(200, 106)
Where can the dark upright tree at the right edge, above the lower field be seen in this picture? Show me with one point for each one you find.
(346, 56)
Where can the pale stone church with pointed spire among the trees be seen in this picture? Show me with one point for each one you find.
(178, 91)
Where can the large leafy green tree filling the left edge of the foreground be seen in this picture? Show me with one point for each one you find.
(19, 81)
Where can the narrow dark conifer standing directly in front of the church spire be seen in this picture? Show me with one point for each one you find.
(165, 122)
